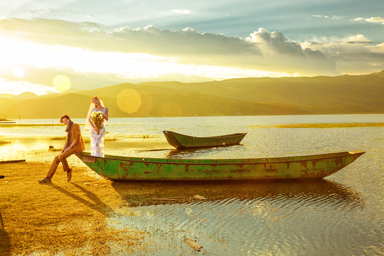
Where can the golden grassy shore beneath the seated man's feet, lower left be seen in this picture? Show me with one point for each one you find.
(67, 217)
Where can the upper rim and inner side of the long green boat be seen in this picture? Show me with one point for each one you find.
(243, 160)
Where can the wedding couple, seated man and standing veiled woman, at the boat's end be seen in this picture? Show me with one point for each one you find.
(74, 142)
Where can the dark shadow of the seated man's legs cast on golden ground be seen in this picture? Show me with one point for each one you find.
(96, 203)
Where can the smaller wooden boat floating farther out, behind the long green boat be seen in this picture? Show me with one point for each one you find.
(182, 141)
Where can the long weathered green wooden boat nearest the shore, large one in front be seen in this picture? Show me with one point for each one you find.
(295, 167)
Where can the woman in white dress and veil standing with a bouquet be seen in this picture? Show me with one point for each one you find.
(97, 136)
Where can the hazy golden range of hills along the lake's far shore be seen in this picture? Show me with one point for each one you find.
(247, 96)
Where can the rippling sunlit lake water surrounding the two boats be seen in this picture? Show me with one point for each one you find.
(341, 215)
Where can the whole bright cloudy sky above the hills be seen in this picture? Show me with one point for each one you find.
(52, 46)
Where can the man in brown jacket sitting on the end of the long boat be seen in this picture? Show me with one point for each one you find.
(74, 144)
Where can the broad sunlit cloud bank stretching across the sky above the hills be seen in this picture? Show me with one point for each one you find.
(126, 54)
